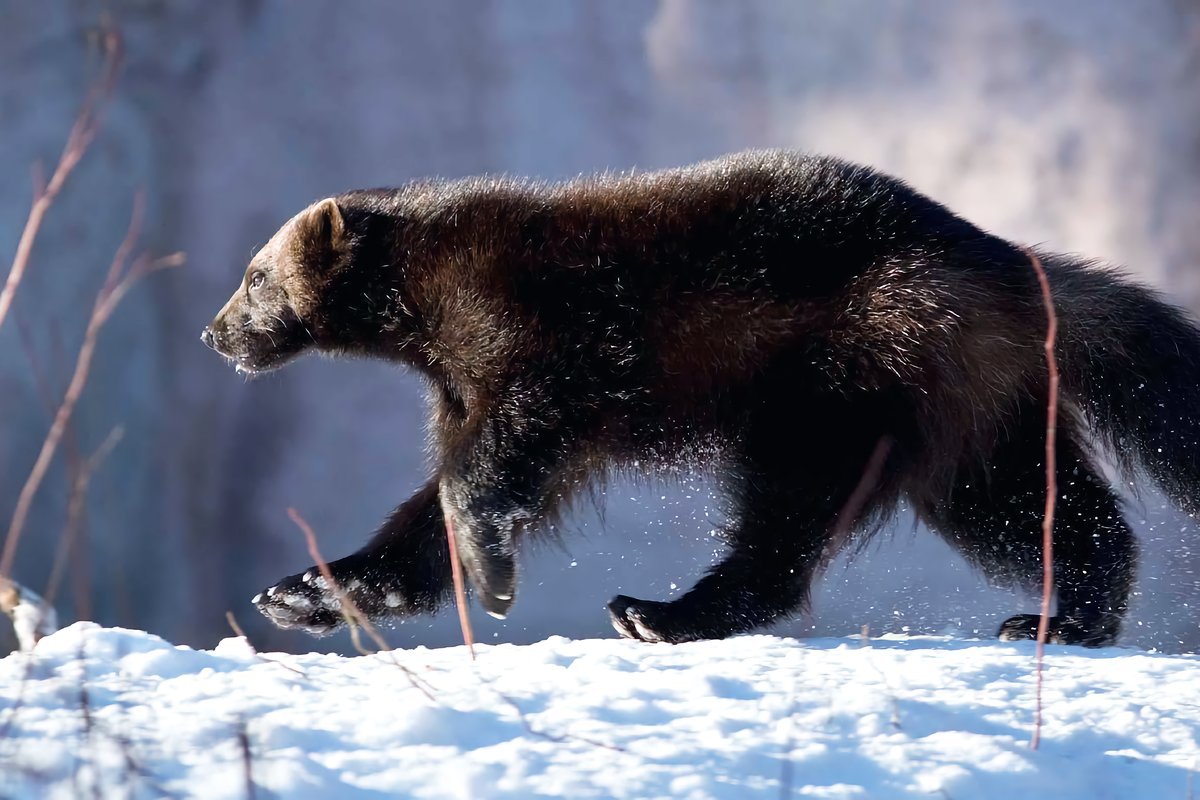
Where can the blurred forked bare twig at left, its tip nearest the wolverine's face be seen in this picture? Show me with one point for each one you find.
(117, 285)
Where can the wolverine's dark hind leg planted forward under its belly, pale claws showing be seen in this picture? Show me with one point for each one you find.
(795, 498)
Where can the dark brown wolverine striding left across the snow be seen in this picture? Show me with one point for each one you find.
(823, 338)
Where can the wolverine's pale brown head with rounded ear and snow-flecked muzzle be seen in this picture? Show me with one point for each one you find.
(273, 317)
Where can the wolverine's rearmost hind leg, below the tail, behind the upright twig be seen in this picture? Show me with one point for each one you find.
(995, 521)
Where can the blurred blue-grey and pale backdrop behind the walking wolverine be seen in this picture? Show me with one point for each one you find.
(1075, 124)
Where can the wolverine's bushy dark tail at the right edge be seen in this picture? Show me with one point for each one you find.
(1132, 364)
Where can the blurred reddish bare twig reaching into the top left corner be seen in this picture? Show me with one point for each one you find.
(82, 134)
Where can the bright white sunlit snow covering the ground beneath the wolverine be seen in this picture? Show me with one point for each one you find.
(117, 713)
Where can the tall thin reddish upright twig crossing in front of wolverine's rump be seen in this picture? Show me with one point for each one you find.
(1052, 486)
